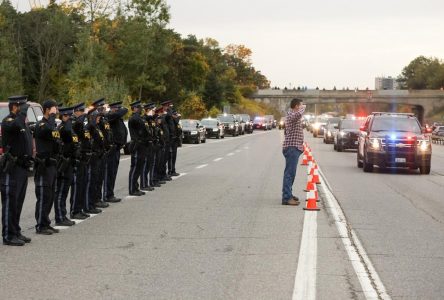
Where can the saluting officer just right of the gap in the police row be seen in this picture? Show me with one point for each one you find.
(137, 131)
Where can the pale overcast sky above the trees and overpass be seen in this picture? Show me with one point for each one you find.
(317, 43)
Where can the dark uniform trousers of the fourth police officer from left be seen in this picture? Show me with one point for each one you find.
(79, 181)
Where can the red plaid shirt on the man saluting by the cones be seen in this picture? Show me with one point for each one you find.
(294, 133)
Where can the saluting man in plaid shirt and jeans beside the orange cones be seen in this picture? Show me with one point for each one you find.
(292, 149)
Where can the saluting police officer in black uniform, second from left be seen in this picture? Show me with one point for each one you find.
(47, 142)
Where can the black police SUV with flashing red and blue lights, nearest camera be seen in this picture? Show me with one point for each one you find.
(393, 140)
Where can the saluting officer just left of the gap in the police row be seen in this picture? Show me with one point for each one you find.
(119, 135)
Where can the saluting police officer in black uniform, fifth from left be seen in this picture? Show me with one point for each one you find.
(105, 131)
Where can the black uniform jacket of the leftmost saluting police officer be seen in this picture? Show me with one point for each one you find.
(16, 136)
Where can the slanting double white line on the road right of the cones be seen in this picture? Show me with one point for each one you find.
(371, 284)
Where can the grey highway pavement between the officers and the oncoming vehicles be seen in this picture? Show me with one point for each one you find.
(219, 231)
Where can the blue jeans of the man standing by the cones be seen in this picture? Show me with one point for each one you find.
(291, 155)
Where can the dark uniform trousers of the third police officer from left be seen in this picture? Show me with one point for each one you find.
(64, 182)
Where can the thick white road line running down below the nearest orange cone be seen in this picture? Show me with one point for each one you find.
(305, 279)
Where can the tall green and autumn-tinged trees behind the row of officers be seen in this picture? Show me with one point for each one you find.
(121, 50)
